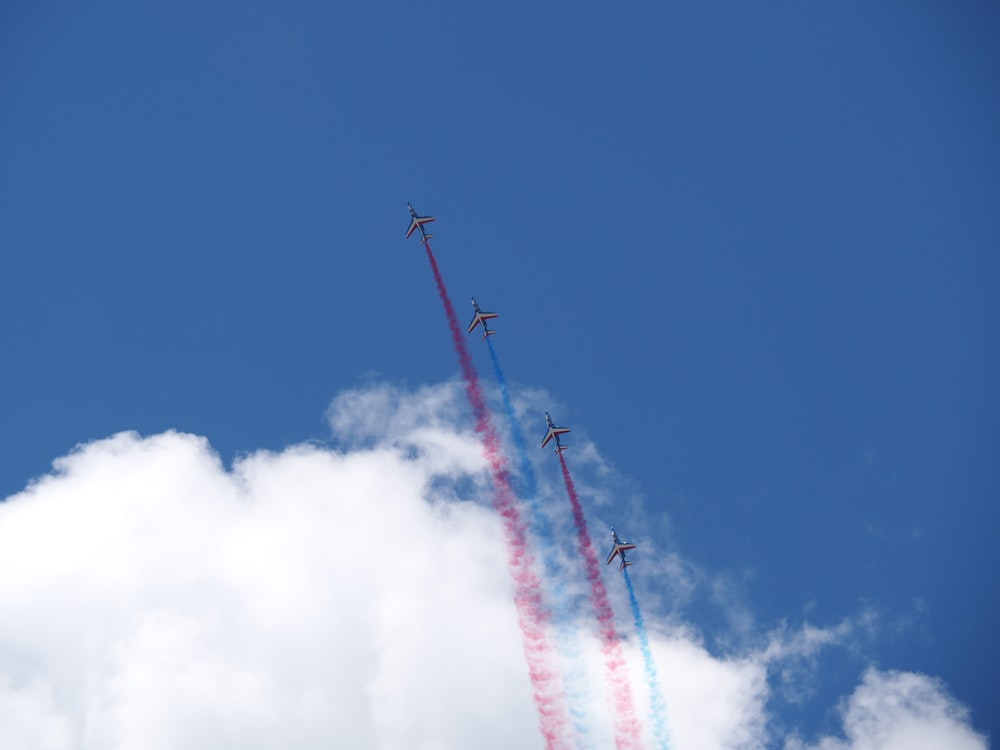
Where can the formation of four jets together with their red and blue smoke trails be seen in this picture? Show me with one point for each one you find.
(547, 617)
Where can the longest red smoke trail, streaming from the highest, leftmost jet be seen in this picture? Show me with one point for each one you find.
(531, 614)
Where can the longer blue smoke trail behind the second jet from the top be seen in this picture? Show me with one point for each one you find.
(567, 637)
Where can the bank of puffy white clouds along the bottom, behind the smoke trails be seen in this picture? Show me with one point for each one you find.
(354, 596)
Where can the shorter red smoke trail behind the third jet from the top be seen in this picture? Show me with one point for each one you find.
(627, 730)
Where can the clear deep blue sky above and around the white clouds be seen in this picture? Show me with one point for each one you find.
(751, 253)
